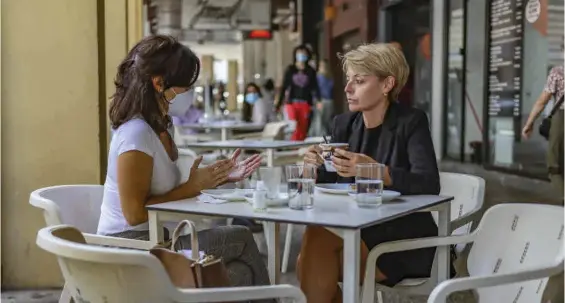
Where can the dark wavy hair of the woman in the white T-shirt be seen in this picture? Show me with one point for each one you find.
(135, 95)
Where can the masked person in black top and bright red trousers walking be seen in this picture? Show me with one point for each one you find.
(298, 91)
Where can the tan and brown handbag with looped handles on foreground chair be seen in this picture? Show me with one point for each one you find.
(195, 271)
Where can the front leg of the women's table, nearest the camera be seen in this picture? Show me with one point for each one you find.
(351, 264)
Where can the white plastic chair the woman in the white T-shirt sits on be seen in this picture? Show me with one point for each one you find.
(78, 205)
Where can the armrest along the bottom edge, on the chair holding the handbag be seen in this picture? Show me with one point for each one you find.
(237, 294)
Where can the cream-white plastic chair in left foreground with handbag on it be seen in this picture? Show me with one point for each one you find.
(101, 274)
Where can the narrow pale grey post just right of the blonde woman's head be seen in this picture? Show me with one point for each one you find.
(439, 52)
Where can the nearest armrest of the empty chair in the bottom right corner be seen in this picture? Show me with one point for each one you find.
(444, 289)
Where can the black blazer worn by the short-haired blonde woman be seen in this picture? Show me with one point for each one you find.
(405, 146)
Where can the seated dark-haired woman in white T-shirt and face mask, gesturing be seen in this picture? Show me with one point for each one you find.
(153, 81)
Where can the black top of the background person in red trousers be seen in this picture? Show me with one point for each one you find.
(300, 85)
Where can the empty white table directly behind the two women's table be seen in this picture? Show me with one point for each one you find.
(269, 146)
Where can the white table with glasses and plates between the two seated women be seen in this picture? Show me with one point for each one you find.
(339, 214)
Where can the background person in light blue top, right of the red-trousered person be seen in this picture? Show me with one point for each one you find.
(326, 84)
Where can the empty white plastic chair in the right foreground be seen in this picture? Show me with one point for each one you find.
(514, 242)
